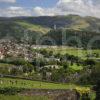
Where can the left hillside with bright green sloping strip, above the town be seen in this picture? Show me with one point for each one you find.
(20, 29)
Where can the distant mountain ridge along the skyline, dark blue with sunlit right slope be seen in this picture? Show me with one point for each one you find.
(74, 22)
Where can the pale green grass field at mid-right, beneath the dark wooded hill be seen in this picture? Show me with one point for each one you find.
(72, 51)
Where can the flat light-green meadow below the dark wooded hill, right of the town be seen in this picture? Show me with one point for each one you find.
(79, 52)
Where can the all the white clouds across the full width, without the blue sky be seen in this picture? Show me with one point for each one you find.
(62, 7)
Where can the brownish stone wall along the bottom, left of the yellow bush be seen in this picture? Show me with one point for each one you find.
(56, 94)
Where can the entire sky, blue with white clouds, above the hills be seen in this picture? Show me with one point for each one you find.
(12, 8)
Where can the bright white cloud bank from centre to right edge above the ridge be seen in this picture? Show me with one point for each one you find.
(64, 7)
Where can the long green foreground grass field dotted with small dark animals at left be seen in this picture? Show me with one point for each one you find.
(28, 84)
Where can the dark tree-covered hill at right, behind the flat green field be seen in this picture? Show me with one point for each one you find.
(74, 38)
